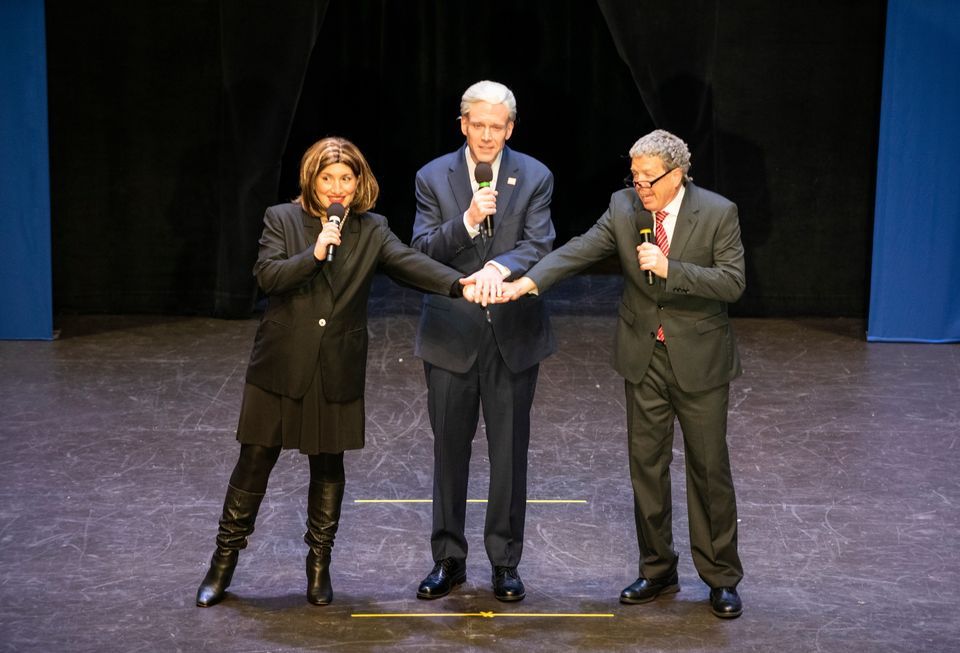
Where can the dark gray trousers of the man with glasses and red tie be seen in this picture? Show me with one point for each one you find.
(652, 406)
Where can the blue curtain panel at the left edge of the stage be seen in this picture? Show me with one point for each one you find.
(26, 304)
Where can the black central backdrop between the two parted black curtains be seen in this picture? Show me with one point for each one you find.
(389, 76)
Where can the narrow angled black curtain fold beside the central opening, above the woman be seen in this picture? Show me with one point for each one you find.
(265, 48)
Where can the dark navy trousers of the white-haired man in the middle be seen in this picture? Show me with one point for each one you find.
(454, 401)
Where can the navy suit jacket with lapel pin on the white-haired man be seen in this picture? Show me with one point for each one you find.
(523, 233)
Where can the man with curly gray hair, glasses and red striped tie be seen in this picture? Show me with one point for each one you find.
(682, 261)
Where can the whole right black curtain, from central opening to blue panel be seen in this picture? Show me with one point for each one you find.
(780, 104)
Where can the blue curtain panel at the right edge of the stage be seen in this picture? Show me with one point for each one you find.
(915, 285)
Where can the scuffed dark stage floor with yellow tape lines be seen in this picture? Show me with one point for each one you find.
(117, 440)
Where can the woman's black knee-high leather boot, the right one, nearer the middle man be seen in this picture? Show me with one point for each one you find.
(323, 518)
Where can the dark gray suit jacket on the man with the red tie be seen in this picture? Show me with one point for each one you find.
(706, 272)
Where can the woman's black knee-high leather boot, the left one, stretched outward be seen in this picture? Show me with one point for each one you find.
(236, 524)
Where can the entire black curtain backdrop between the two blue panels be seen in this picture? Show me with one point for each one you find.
(174, 125)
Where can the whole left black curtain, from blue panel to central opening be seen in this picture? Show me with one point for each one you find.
(168, 124)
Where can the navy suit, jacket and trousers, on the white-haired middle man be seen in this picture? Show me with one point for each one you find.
(474, 355)
